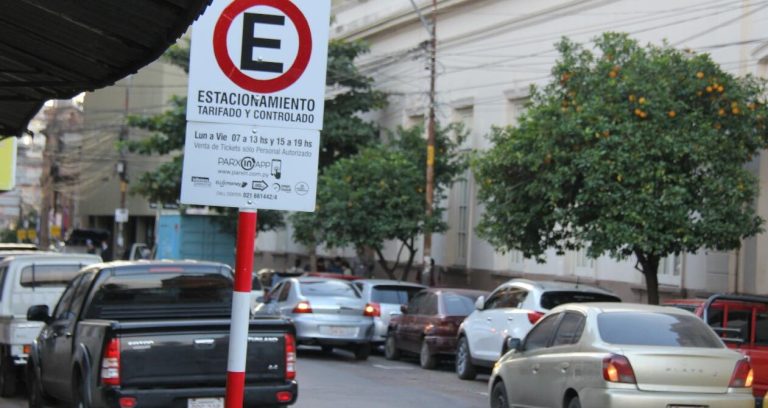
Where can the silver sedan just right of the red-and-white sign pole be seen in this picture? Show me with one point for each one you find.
(327, 312)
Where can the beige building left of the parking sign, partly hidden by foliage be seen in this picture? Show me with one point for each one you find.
(103, 166)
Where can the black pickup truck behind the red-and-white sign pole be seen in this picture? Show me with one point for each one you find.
(154, 334)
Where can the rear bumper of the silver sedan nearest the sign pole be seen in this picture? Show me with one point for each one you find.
(323, 332)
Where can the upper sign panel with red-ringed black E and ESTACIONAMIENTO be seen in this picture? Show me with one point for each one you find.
(260, 62)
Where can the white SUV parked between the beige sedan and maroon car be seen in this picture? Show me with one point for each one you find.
(510, 311)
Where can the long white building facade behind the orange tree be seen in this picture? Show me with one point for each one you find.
(489, 52)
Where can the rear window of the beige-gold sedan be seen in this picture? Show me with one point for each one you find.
(656, 329)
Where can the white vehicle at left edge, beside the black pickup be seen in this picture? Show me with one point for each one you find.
(26, 280)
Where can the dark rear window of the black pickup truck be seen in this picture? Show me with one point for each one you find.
(162, 295)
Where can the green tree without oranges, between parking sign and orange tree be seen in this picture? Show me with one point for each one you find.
(378, 195)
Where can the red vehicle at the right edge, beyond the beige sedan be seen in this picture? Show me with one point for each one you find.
(742, 323)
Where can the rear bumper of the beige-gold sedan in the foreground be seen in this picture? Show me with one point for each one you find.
(626, 398)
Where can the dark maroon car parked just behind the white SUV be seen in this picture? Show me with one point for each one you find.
(429, 324)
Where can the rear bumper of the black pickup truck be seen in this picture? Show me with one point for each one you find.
(255, 395)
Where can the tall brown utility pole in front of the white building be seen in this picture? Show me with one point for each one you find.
(430, 187)
